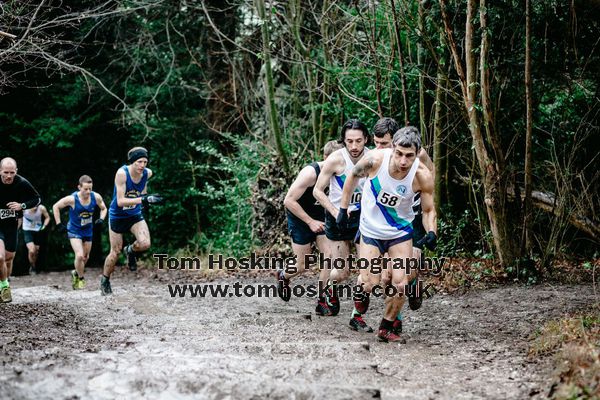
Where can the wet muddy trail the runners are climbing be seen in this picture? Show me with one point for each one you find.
(142, 343)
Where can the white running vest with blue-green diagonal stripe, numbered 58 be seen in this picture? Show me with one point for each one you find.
(387, 203)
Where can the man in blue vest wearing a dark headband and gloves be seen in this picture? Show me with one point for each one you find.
(125, 213)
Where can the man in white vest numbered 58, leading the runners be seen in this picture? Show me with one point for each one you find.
(393, 176)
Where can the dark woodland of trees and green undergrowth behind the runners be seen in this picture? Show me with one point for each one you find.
(233, 97)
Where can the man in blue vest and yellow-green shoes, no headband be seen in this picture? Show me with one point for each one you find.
(80, 228)
